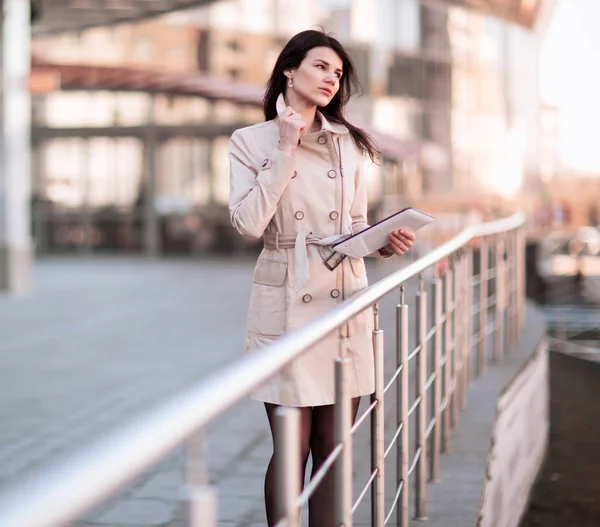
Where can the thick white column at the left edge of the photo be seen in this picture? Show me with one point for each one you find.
(16, 254)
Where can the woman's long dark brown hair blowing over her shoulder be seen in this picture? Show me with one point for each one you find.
(291, 56)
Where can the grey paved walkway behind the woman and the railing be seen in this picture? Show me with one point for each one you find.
(103, 339)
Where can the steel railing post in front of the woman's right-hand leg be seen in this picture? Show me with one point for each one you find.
(343, 434)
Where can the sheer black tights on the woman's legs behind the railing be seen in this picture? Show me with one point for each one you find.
(317, 439)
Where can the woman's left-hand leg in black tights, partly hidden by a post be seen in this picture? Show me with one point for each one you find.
(270, 483)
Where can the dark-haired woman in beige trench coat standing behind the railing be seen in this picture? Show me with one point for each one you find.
(297, 180)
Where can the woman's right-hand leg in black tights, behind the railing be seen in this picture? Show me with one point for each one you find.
(322, 442)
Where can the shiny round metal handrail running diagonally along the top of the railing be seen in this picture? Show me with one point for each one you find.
(63, 491)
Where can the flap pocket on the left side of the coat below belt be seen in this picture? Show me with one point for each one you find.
(267, 312)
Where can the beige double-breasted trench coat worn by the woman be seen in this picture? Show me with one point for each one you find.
(272, 192)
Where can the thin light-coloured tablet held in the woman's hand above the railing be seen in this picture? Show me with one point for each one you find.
(376, 236)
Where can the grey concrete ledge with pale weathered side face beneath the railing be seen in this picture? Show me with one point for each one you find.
(500, 441)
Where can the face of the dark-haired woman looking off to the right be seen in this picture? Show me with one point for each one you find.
(317, 79)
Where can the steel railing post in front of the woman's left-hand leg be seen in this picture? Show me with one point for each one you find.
(287, 463)
